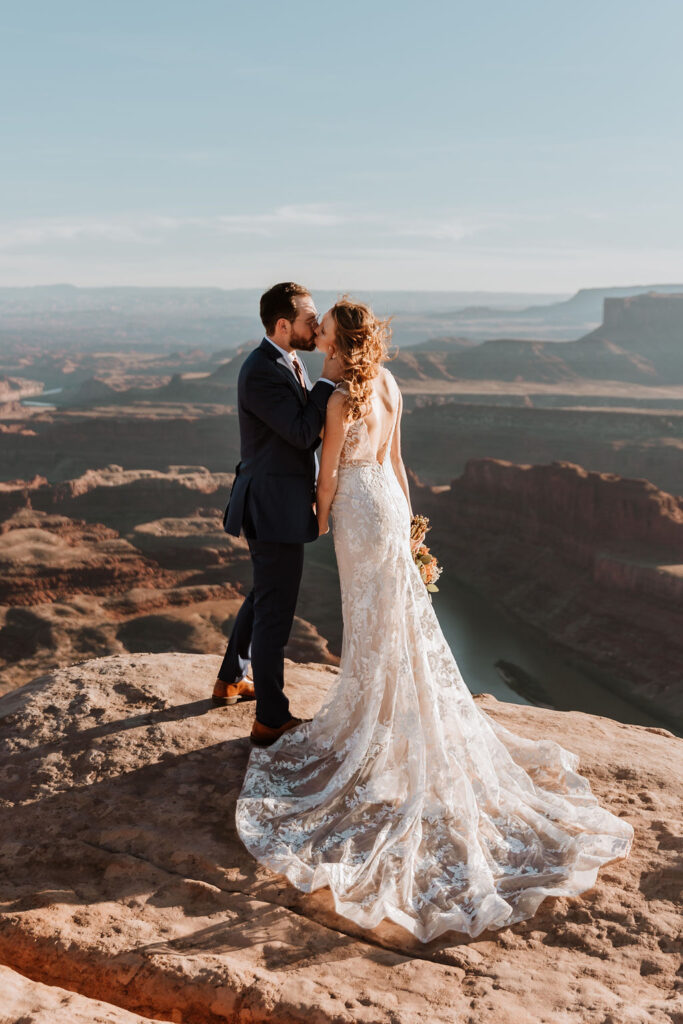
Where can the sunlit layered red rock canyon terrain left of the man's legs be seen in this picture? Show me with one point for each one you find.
(95, 566)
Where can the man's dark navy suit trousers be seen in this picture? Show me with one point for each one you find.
(264, 626)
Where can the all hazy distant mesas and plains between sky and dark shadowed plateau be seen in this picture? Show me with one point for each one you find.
(176, 352)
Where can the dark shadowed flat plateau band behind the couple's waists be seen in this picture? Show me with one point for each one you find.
(153, 435)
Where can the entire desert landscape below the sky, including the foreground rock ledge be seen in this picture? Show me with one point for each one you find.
(544, 439)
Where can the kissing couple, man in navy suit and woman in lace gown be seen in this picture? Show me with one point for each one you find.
(401, 795)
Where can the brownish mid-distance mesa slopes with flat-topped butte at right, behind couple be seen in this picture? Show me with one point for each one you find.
(641, 342)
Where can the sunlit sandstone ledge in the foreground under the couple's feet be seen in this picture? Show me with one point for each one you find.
(123, 879)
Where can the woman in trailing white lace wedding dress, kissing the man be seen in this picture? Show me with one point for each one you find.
(402, 796)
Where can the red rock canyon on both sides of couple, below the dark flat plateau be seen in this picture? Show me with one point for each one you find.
(97, 566)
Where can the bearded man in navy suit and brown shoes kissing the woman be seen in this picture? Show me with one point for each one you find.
(281, 419)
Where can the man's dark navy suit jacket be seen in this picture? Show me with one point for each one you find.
(280, 428)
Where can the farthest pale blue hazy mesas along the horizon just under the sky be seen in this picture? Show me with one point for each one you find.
(158, 320)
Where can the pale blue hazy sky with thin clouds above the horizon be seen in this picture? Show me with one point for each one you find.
(502, 146)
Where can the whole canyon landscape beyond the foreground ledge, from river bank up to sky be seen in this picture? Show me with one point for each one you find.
(111, 500)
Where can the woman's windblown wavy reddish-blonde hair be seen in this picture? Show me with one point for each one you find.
(363, 344)
